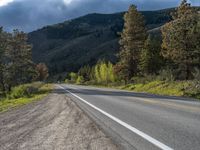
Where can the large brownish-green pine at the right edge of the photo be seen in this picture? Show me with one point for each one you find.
(181, 40)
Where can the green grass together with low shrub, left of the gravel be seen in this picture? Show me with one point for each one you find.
(18, 98)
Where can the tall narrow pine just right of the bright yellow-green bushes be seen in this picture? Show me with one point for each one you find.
(132, 41)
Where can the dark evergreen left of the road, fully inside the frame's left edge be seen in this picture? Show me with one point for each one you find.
(20, 65)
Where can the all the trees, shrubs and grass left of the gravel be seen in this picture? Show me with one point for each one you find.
(18, 73)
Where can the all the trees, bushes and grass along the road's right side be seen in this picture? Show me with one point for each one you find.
(147, 63)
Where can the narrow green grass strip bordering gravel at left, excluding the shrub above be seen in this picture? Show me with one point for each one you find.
(7, 103)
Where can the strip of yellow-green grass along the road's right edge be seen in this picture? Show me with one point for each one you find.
(167, 88)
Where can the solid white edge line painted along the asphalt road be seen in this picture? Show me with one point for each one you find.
(136, 131)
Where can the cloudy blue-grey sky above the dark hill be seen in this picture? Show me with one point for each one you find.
(28, 15)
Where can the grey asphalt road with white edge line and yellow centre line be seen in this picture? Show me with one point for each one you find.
(141, 121)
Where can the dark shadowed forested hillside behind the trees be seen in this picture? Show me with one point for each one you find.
(69, 45)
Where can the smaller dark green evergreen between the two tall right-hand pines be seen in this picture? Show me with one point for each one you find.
(151, 59)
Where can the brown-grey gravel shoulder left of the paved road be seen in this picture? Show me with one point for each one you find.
(54, 123)
